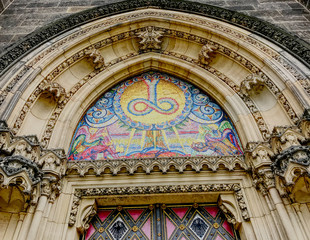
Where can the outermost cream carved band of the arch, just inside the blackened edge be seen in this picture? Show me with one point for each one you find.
(219, 28)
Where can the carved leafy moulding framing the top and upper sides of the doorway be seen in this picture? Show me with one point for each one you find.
(80, 193)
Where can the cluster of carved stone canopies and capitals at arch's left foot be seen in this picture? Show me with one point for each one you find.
(24, 162)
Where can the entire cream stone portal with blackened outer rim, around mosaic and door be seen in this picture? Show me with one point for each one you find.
(54, 75)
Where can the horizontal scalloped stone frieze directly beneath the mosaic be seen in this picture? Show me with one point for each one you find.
(180, 163)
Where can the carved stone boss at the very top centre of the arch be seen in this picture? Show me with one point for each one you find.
(150, 39)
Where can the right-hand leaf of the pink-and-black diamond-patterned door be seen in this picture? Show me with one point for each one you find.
(196, 222)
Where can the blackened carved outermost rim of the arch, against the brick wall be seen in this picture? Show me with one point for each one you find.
(293, 44)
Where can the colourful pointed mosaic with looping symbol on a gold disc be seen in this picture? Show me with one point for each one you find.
(154, 115)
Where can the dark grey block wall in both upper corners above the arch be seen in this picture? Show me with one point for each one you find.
(24, 16)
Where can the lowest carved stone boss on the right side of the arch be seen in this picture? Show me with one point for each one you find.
(253, 83)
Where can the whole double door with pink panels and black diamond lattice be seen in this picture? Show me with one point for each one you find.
(161, 222)
